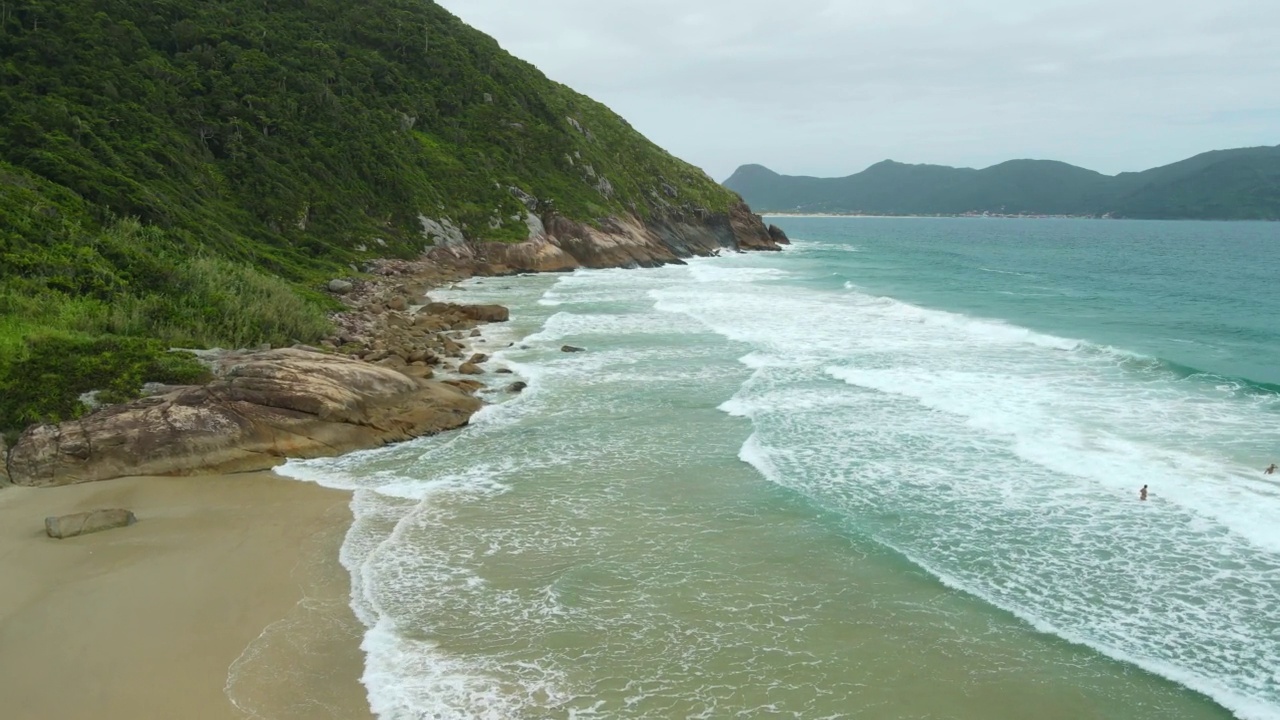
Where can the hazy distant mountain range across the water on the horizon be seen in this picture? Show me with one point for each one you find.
(1224, 185)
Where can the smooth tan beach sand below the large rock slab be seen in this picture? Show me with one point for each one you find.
(226, 601)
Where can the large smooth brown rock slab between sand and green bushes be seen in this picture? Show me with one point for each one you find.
(264, 408)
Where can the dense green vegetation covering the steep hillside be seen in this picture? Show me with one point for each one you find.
(190, 171)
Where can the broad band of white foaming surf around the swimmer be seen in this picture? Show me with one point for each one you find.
(1012, 416)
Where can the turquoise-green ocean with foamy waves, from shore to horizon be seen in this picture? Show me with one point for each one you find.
(892, 472)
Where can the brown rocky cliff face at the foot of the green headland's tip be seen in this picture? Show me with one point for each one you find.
(559, 244)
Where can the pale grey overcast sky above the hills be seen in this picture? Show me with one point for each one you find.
(828, 88)
